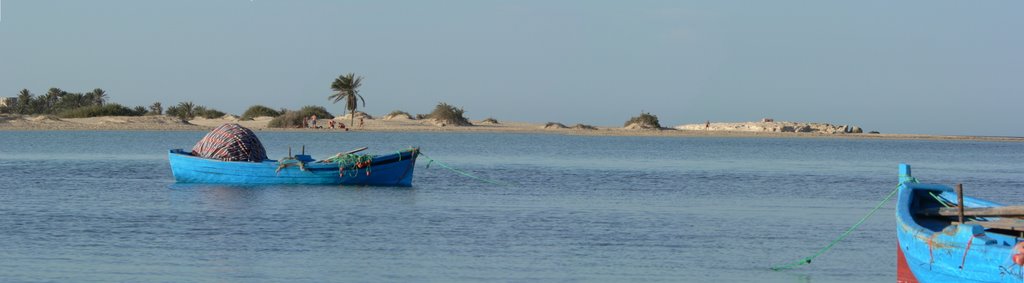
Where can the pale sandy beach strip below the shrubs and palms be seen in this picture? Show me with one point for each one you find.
(163, 124)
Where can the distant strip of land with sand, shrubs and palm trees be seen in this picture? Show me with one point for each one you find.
(60, 110)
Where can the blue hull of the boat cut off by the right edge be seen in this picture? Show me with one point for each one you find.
(930, 251)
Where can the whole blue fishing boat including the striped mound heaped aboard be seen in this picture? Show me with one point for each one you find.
(232, 154)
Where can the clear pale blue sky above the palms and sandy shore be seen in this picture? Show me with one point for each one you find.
(913, 67)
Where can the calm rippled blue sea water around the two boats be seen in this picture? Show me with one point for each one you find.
(103, 207)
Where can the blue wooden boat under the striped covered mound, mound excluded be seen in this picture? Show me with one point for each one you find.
(394, 170)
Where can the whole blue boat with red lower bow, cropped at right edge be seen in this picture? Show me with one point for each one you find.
(944, 236)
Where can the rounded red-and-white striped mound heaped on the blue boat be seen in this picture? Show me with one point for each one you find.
(231, 143)
